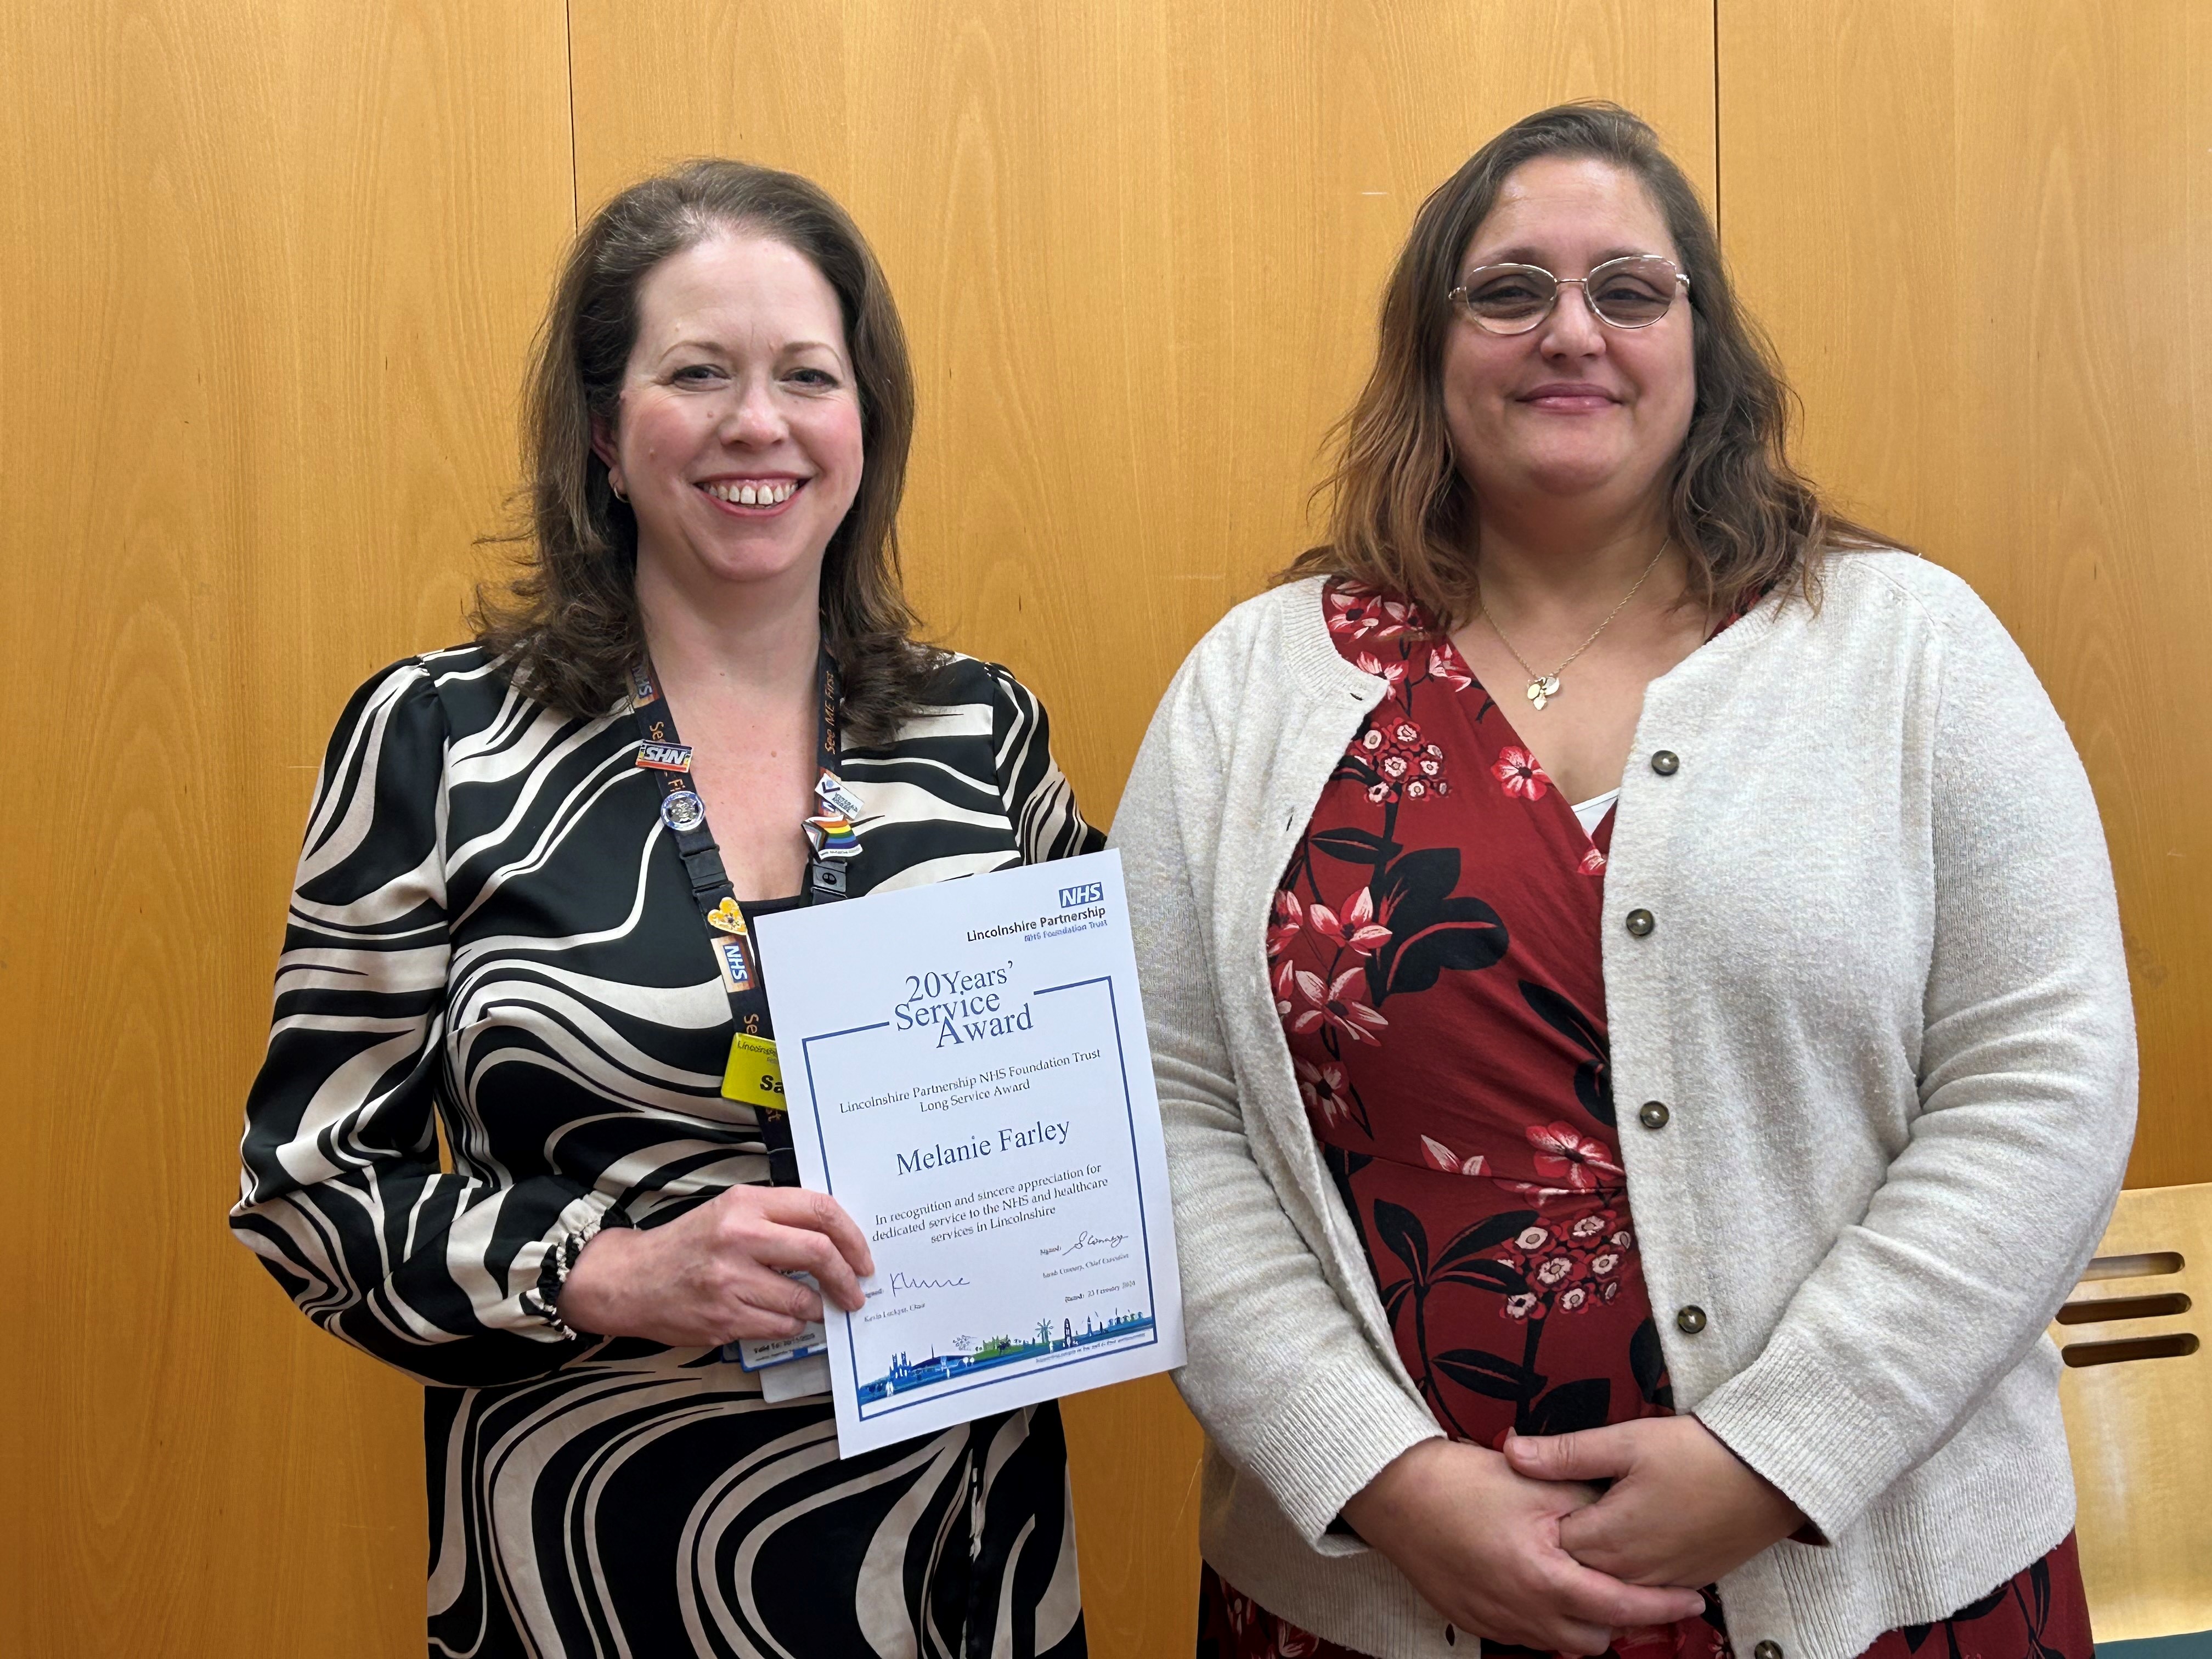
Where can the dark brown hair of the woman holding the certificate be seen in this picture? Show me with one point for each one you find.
(567, 618)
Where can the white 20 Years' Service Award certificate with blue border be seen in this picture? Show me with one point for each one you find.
(968, 1076)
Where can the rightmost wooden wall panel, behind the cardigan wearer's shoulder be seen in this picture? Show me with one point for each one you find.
(1983, 238)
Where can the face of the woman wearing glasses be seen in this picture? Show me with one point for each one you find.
(1572, 410)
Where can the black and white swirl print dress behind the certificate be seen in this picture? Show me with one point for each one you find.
(492, 937)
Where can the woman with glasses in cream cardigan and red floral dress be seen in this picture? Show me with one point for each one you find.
(1594, 820)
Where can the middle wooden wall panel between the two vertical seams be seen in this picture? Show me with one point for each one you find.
(1138, 247)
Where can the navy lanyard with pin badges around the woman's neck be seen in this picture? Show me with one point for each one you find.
(738, 957)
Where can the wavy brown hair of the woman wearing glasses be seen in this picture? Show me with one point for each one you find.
(1404, 517)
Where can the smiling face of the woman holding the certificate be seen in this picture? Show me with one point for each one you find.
(740, 428)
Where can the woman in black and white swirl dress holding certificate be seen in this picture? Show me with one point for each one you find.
(497, 935)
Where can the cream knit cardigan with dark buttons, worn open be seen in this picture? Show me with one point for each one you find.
(1884, 1001)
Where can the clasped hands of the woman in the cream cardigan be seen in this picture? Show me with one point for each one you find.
(1525, 1547)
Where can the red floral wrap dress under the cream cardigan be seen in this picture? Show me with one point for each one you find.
(1434, 954)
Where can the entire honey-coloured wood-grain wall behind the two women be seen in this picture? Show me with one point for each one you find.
(273, 269)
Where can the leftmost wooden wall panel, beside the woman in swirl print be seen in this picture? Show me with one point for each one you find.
(271, 275)
